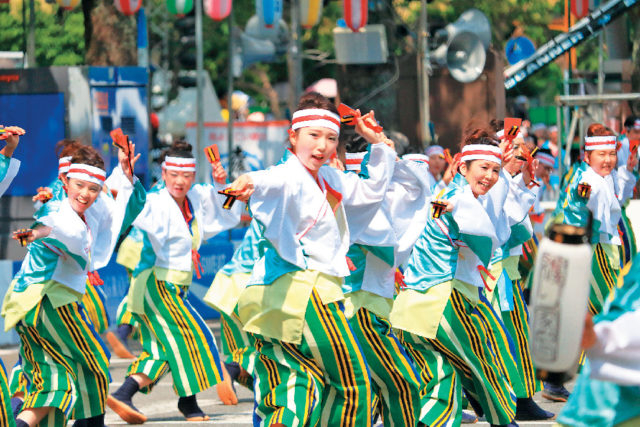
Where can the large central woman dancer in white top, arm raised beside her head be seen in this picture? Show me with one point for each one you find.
(307, 352)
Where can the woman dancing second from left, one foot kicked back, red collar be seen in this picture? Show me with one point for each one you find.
(175, 221)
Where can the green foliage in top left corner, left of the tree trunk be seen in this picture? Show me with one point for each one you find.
(59, 36)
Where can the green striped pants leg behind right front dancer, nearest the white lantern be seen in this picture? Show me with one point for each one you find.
(501, 342)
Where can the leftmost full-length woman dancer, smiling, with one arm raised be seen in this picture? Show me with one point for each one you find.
(64, 359)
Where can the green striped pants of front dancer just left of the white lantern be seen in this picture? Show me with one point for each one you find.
(462, 340)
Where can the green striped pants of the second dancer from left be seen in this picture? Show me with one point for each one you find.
(175, 338)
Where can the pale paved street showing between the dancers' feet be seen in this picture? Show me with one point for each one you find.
(160, 405)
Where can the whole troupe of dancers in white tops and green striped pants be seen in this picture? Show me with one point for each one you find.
(368, 288)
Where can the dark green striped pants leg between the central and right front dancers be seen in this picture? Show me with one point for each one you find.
(395, 380)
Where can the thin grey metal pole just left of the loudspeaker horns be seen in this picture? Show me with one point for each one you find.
(424, 68)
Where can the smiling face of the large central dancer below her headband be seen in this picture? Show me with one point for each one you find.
(313, 146)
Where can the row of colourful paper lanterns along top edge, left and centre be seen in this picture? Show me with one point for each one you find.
(269, 11)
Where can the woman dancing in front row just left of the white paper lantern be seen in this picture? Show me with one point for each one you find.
(445, 275)
